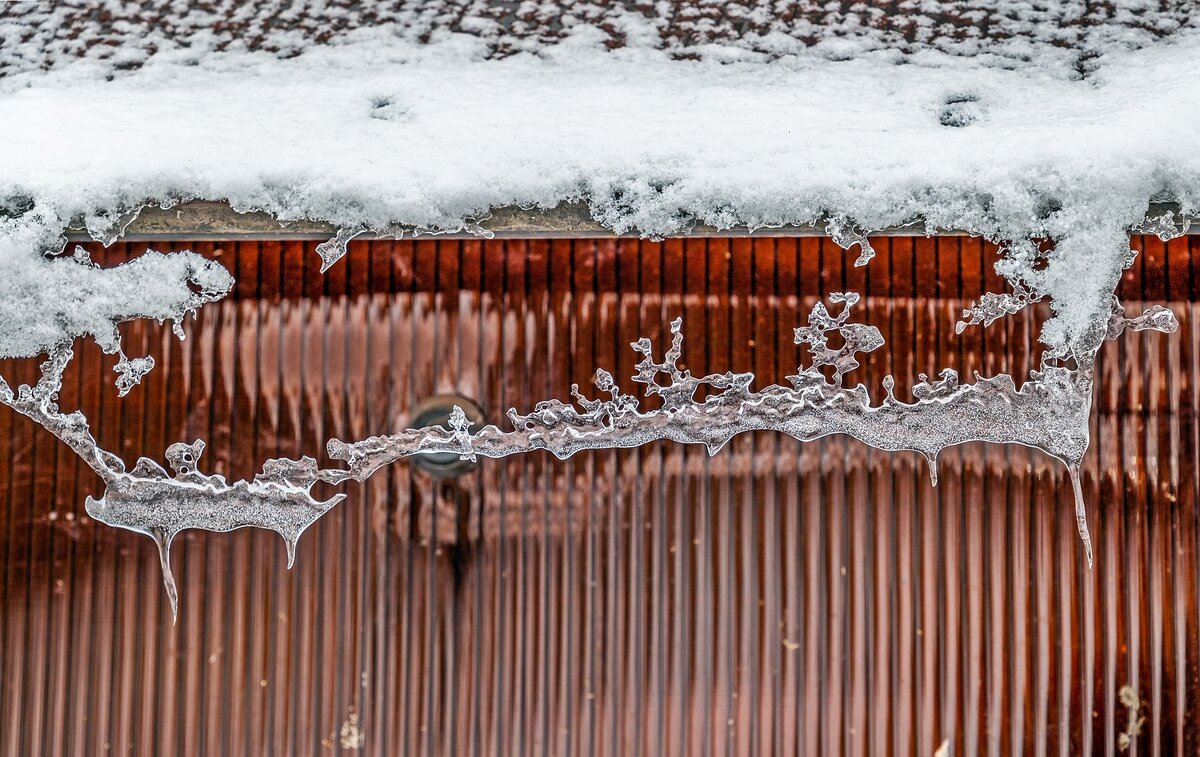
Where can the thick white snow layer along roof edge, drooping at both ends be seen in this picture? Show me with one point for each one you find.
(379, 131)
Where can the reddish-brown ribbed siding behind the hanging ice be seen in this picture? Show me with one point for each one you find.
(778, 599)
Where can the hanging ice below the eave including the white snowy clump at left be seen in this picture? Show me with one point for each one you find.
(50, 302)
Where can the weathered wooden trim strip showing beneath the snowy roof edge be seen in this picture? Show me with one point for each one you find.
(217, 221)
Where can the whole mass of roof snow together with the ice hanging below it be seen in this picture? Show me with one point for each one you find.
(1047, 125)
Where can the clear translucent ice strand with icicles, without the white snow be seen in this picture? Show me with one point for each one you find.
(1049, 412)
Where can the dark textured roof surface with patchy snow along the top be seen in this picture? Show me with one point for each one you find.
(122, 34)
